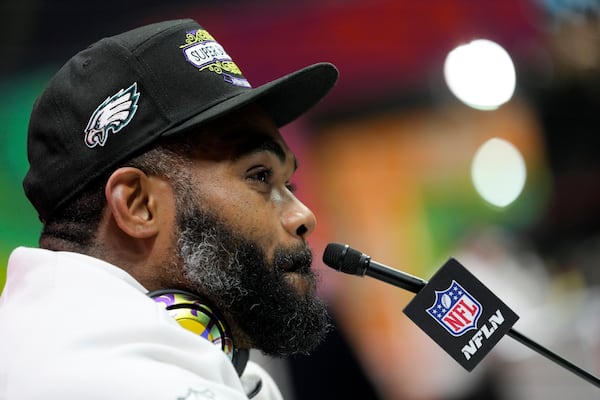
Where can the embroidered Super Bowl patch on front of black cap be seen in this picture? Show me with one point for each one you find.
(203, 52)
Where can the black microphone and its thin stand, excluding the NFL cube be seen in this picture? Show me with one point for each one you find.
(345, 259)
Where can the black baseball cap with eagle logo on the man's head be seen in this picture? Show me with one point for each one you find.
(118, 97)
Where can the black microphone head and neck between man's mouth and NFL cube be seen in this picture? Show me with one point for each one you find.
(351, 261)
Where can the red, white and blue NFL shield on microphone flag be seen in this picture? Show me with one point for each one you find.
(455, 309)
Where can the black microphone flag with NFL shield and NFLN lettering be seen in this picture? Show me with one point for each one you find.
(460, 314)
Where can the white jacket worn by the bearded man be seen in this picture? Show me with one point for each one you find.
(75, 327)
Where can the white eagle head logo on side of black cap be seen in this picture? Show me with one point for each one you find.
(112, 115)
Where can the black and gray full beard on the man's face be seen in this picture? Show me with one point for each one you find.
(235, 275)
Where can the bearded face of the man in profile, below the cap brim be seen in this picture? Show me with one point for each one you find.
(242, 236)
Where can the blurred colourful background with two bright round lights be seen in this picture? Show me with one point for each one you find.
(457, 129)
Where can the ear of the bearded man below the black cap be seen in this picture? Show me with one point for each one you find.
(132, 199)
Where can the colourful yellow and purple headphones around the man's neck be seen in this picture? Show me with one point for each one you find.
(198, 316)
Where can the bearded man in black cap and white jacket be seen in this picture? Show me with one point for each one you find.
(164, 188)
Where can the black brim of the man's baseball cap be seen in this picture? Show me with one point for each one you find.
(284, 99)
